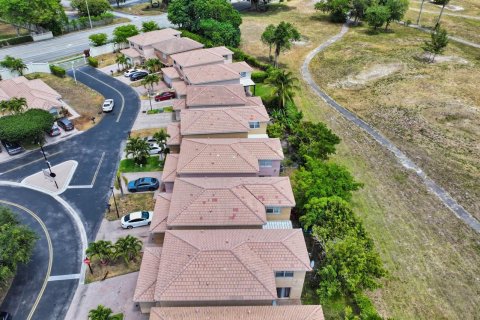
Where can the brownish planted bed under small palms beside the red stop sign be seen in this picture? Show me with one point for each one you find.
(114, 269)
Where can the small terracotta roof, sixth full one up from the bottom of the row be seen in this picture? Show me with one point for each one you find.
(210, 74)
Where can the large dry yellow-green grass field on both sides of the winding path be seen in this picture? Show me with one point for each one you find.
(433, 259)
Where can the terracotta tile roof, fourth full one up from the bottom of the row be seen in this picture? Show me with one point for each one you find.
(220, 120)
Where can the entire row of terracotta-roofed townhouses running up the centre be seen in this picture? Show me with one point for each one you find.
(222, 244)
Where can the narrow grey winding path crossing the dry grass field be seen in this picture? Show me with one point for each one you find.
(406, 162)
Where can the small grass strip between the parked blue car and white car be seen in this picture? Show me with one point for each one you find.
(130, 203)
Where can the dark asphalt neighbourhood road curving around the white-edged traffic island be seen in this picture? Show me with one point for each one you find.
(98, 148)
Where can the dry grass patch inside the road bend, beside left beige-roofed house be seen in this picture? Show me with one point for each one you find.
(84, 100)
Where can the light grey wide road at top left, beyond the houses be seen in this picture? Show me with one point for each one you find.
(72, 43)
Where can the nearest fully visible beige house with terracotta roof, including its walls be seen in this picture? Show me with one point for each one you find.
(237, 267)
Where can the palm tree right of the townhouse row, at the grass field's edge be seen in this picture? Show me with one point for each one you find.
(284, 84)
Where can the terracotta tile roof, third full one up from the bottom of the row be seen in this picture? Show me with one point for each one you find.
(226, 156)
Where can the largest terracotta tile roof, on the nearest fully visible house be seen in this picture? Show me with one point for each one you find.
(219, 265)
